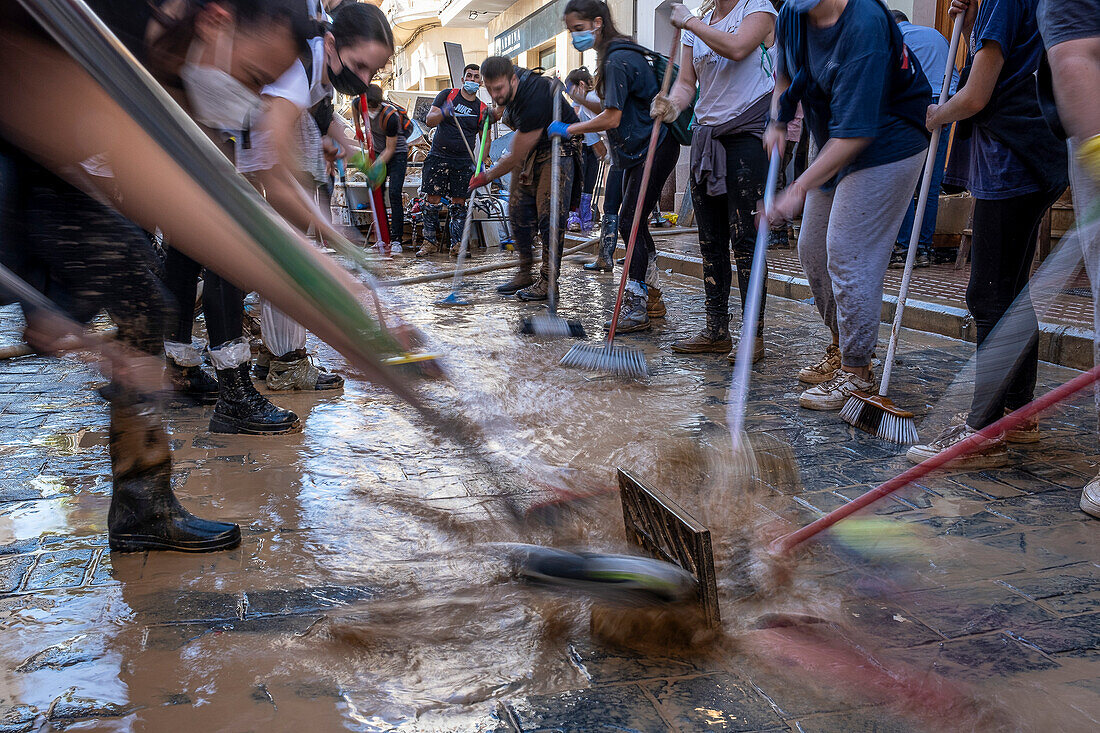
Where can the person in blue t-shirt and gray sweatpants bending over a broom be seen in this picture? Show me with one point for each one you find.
(864, 96)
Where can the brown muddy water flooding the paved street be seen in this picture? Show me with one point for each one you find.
(364, 595)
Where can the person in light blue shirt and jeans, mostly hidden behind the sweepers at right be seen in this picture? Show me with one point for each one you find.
(931, 49)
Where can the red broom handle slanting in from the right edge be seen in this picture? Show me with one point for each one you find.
(1010, 422)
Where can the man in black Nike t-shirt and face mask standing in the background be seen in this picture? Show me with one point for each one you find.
(458, 116)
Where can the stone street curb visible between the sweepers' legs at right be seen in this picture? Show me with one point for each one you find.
(1069, 346)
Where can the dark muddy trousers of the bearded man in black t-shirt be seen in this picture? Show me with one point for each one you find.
(530, 207)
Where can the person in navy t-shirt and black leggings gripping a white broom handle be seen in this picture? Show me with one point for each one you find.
(1018, 169)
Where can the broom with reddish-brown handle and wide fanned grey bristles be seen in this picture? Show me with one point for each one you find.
(610, 358)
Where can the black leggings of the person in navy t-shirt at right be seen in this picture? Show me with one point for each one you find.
(1002, 253)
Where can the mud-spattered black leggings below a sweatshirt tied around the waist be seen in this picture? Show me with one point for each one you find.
(729, 221)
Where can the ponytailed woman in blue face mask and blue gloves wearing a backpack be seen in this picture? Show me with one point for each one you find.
(626, 85)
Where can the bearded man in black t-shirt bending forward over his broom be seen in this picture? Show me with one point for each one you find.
(526, 101)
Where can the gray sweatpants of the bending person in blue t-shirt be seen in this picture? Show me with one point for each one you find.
(845, 243)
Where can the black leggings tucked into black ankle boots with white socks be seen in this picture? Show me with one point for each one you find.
(223, 302)
